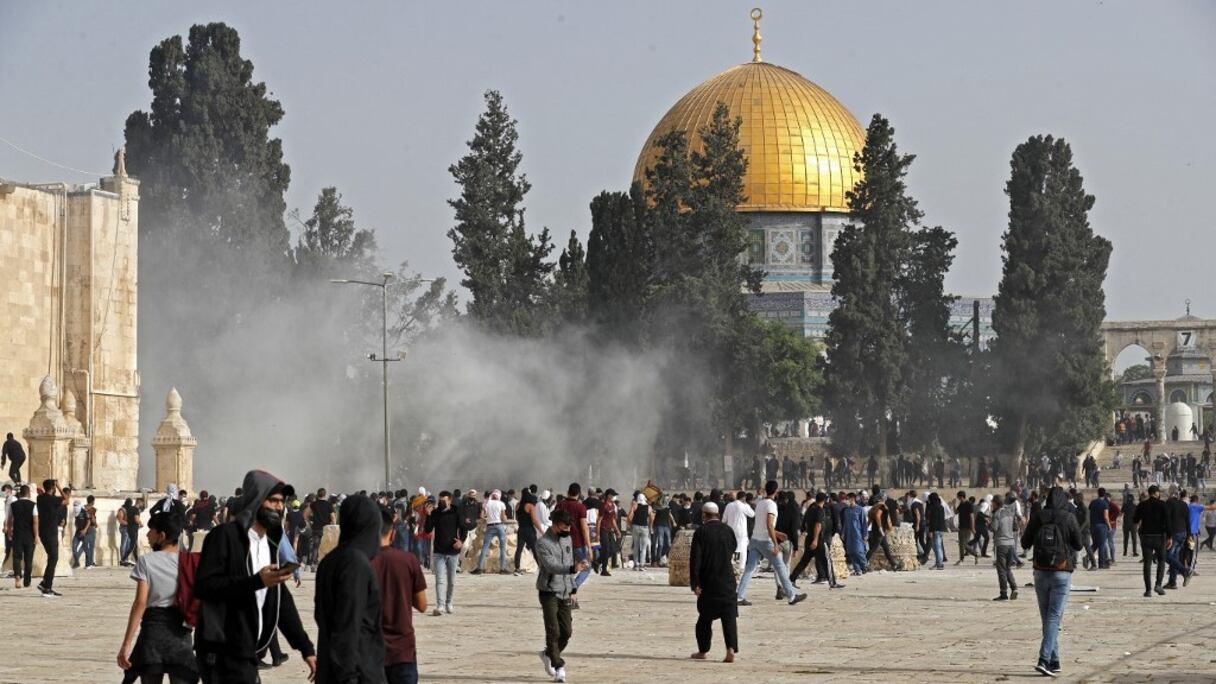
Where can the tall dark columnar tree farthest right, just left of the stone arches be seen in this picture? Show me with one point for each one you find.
(1052, 388)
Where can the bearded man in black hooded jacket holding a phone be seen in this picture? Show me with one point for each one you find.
(241, 592)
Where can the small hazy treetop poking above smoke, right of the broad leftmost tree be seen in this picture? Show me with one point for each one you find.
(333, 242)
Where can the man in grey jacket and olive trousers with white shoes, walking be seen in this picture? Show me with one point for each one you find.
(555, 584)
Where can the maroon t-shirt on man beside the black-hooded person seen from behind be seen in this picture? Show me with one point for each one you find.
(401, 578)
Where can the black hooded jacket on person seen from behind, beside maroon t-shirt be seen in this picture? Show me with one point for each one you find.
(351, 647)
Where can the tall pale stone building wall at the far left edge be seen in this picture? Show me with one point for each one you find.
(69, 305)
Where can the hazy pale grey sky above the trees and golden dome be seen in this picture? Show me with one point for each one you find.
(381, 98)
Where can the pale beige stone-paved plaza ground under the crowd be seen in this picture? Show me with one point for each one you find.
(922, 626)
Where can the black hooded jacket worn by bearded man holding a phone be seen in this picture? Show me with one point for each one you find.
(227, 587)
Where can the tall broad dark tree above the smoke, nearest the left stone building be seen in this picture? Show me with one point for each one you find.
(209, 169)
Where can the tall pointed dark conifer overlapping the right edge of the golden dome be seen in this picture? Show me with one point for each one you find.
(868, 351)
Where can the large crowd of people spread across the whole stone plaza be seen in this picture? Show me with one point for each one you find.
(216, 610)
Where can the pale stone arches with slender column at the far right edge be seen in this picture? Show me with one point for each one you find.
(1162, 339)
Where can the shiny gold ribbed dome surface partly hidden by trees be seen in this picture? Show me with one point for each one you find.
(800, 141)
